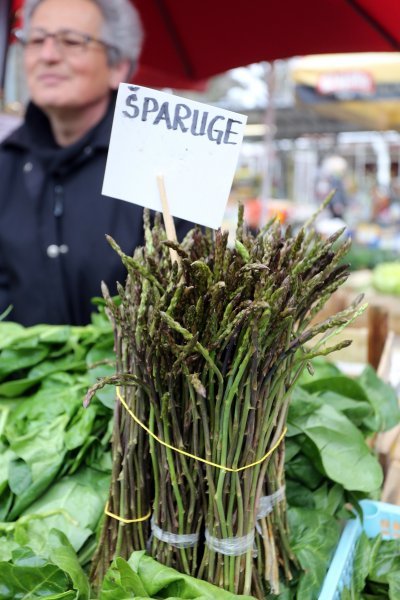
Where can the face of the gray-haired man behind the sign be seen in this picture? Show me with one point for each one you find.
(66, 78)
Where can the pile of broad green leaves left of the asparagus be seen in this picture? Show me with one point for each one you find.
(53, 452)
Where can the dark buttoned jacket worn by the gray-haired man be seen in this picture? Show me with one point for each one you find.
(53, 222)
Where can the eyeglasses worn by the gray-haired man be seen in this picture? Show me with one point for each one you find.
(68, 42)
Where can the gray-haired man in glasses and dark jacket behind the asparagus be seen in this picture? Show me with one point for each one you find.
(53, 217)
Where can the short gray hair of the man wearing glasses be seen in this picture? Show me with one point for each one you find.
(122, 29)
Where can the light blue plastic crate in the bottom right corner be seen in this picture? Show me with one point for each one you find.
(379, 517)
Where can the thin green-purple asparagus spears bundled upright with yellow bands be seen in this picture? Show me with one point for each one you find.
(209, 348)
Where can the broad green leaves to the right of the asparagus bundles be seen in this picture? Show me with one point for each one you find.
(329, 463)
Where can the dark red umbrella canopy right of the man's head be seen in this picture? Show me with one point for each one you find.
(187, 42)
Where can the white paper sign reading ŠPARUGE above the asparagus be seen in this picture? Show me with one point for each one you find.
(194, 146)
